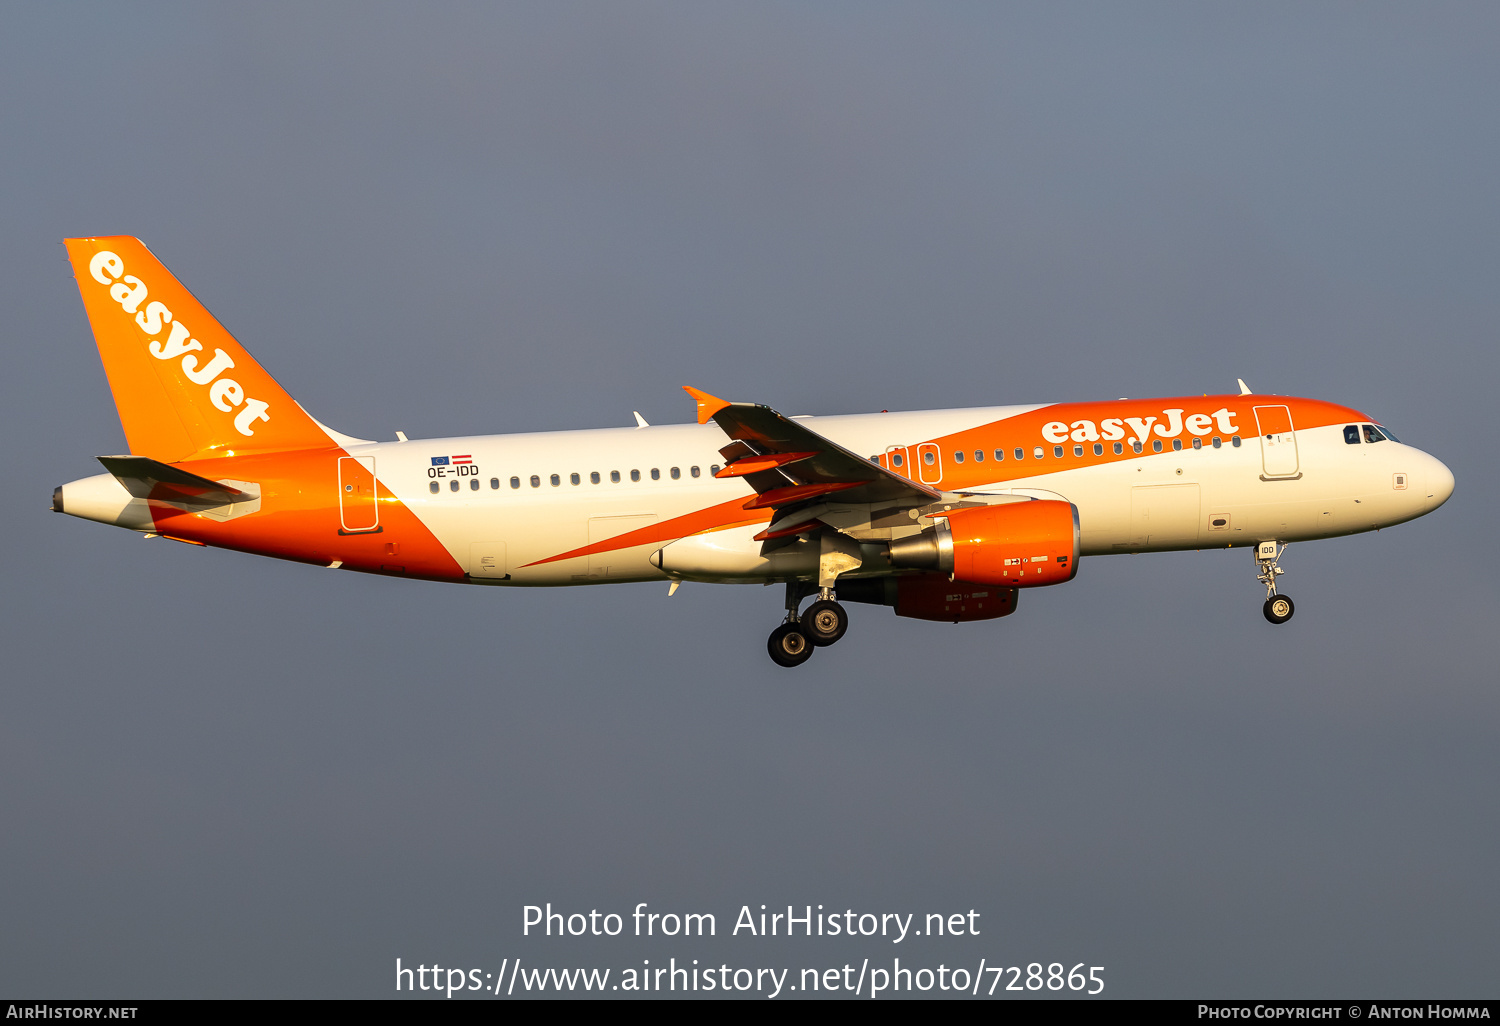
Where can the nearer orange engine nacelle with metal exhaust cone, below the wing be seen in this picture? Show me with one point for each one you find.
(1021, 545)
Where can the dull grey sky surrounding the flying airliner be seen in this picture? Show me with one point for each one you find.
(233, 776)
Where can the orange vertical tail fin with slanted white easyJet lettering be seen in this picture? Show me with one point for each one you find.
(184, 386)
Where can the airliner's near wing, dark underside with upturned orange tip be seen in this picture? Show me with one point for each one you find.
(787, 464)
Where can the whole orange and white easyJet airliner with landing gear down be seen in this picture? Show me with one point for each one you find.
(946, 515)
